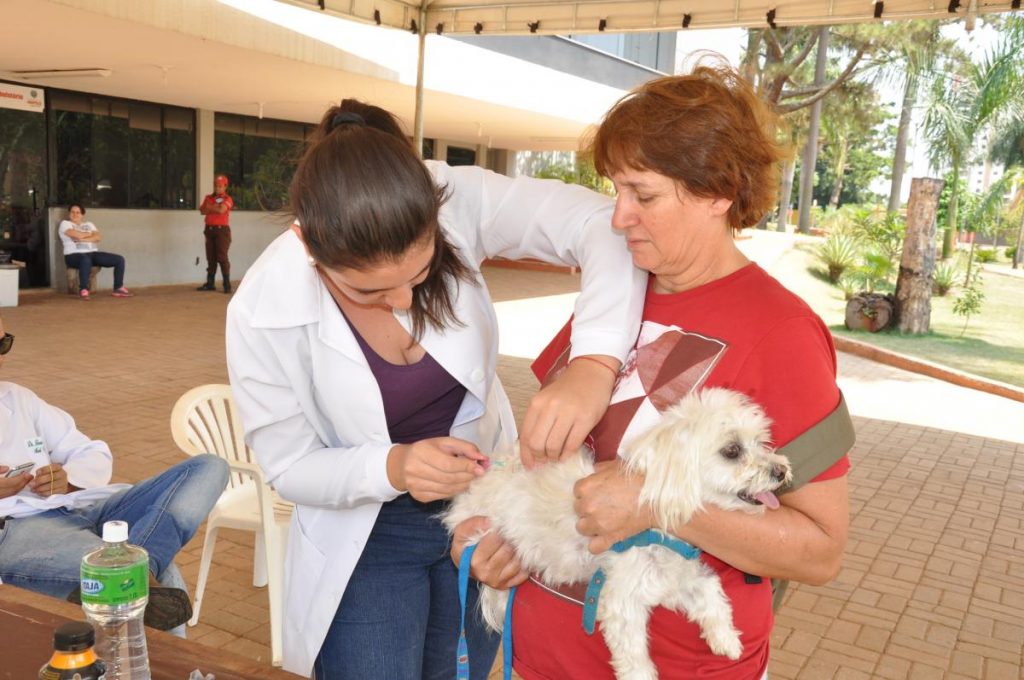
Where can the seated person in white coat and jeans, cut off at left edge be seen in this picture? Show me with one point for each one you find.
(56, 496)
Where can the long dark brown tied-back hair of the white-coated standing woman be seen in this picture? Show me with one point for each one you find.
(363, 197)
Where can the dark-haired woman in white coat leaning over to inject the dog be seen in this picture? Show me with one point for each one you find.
(362, 349)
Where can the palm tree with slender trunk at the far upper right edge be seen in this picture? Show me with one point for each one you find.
(962, 106)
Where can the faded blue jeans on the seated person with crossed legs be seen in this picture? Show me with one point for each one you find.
(45, 552)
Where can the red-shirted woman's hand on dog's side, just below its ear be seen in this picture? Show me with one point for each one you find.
(608, 504)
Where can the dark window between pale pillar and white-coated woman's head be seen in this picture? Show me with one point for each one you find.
(260, 157)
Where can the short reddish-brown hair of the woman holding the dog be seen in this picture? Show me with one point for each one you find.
(708, 131)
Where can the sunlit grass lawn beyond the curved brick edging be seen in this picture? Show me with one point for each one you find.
(993, 346)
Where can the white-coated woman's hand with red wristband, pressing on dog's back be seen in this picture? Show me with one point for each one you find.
(563, 414)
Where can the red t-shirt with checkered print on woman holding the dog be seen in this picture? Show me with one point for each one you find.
(745, 332)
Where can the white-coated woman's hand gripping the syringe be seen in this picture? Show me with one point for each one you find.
(435, 470)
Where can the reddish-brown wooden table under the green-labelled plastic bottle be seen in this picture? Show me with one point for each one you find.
(28, 621)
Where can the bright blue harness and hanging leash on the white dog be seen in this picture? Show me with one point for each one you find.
(643, 540)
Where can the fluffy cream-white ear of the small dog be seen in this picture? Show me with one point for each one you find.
(672, 486)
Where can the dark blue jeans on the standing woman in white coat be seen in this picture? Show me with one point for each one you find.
(399, 618)
